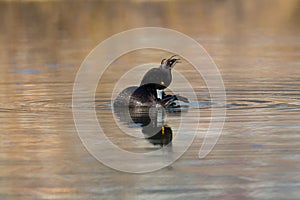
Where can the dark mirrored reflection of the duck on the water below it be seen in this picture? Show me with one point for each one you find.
(151, 120)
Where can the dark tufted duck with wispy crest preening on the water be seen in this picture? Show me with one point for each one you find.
(150, 92)
